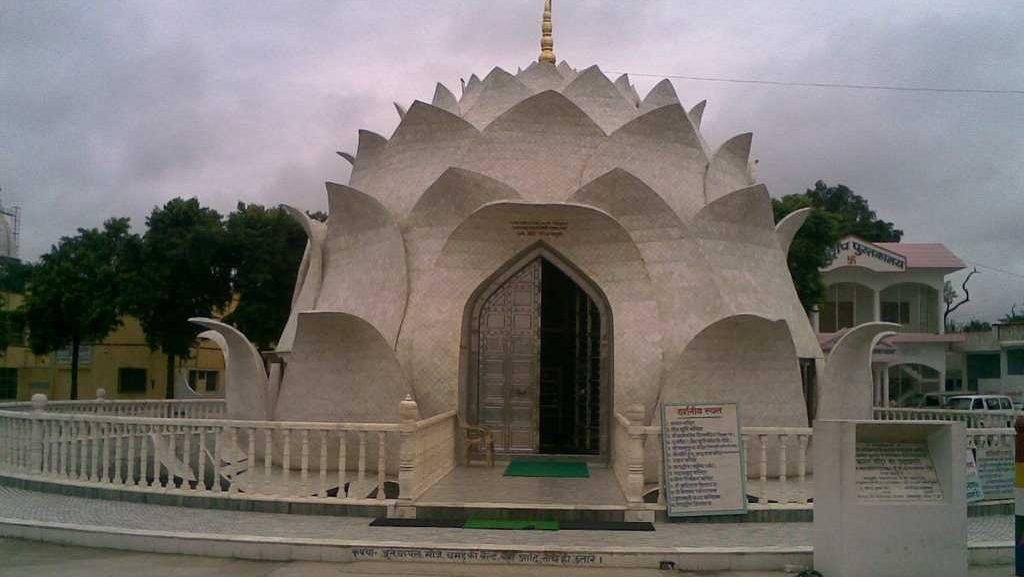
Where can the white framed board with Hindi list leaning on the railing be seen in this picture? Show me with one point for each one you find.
(704, 460)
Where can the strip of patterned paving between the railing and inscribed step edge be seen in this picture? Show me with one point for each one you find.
(46, 508)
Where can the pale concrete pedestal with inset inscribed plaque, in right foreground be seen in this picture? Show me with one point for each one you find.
(872, 522)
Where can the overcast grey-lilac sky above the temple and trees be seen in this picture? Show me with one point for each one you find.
(110, 109)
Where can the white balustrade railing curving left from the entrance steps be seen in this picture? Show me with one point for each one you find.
(276, 460)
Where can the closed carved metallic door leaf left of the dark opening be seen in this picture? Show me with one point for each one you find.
(509, 362)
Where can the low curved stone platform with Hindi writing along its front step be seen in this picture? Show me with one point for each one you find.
(143, 527)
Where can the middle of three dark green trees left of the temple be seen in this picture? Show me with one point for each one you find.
(181, 271)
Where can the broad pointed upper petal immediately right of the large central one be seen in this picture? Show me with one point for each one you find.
(663, 149)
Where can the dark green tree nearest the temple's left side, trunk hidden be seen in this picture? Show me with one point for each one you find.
(266, 249)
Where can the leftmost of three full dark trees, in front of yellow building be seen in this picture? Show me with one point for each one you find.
(74, 295)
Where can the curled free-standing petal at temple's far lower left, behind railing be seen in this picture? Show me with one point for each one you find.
(246, 394)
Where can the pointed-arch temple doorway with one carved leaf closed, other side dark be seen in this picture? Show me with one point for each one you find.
(539, 369)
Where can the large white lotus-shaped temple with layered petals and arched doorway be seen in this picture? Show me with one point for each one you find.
(544, 256)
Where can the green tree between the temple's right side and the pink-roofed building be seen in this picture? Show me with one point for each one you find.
(838, 213)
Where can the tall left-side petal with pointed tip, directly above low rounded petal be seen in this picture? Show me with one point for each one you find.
(365, 269)
